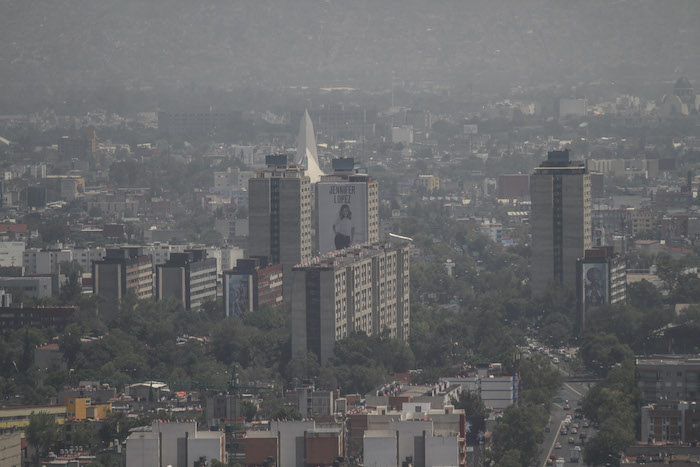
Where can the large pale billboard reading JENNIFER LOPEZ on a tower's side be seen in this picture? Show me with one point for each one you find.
(342, 215)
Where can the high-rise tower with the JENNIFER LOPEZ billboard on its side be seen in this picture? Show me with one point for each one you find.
(347, 207)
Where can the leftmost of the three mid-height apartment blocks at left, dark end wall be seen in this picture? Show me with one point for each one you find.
(122, 270)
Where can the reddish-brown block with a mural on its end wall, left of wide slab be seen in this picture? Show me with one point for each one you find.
(250, 285)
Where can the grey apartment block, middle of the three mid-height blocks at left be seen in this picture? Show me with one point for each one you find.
(189, 277)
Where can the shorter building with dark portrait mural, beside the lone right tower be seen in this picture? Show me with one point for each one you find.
(601, 279)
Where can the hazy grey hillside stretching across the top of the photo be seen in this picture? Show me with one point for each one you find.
(50, 45)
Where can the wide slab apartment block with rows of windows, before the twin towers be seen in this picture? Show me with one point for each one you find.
(362, 289)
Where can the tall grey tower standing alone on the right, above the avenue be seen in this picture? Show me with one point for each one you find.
(560, 191)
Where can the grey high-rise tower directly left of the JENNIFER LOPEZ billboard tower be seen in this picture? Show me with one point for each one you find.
(280, 213)
